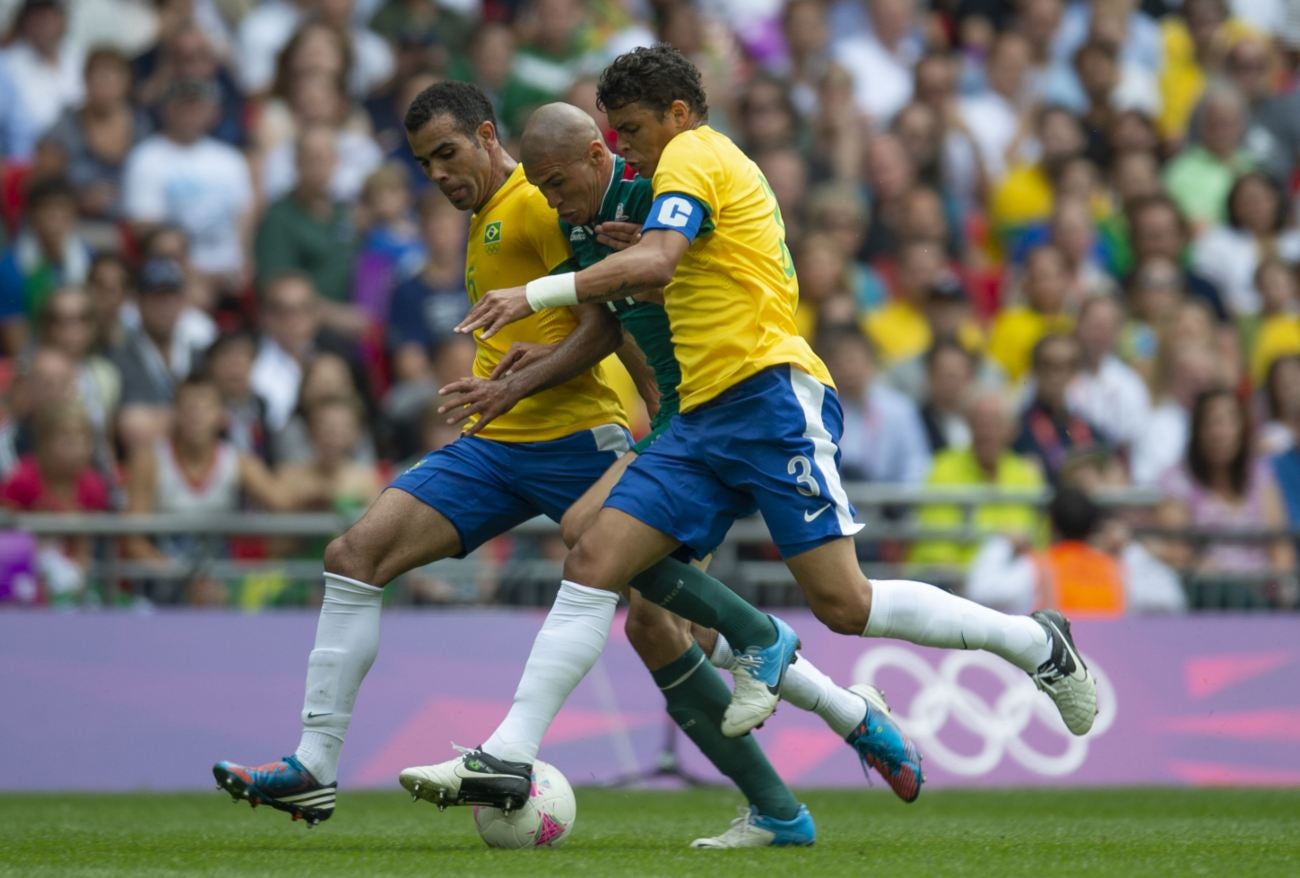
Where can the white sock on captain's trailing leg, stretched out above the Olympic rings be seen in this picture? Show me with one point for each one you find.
(931, 617)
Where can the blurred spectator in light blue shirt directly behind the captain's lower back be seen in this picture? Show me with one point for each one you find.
(885, 439)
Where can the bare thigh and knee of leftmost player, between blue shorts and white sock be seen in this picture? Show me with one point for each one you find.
(397, 534)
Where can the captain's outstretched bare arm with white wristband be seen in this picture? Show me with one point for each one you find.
(644, 267)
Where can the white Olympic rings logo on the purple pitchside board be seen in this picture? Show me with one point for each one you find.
(998, 725)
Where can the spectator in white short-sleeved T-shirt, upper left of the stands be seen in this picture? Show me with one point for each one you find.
(194, 181)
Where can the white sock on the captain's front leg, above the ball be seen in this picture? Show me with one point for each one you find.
(566, 648)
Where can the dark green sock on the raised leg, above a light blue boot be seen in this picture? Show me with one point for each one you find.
(695, 595)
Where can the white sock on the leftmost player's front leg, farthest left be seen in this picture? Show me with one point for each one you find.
(348, 639)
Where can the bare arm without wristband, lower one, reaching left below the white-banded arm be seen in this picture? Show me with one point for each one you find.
(596, 338)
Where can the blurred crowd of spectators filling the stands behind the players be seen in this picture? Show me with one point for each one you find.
(1039, 244)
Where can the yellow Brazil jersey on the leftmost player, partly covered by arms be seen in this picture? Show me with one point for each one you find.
(513, 240)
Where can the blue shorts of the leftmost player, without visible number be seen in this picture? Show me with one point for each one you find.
(486, 488)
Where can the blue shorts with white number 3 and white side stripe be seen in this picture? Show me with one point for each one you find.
(768, 443)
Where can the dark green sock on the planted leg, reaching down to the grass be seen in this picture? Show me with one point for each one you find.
(697, 699)
